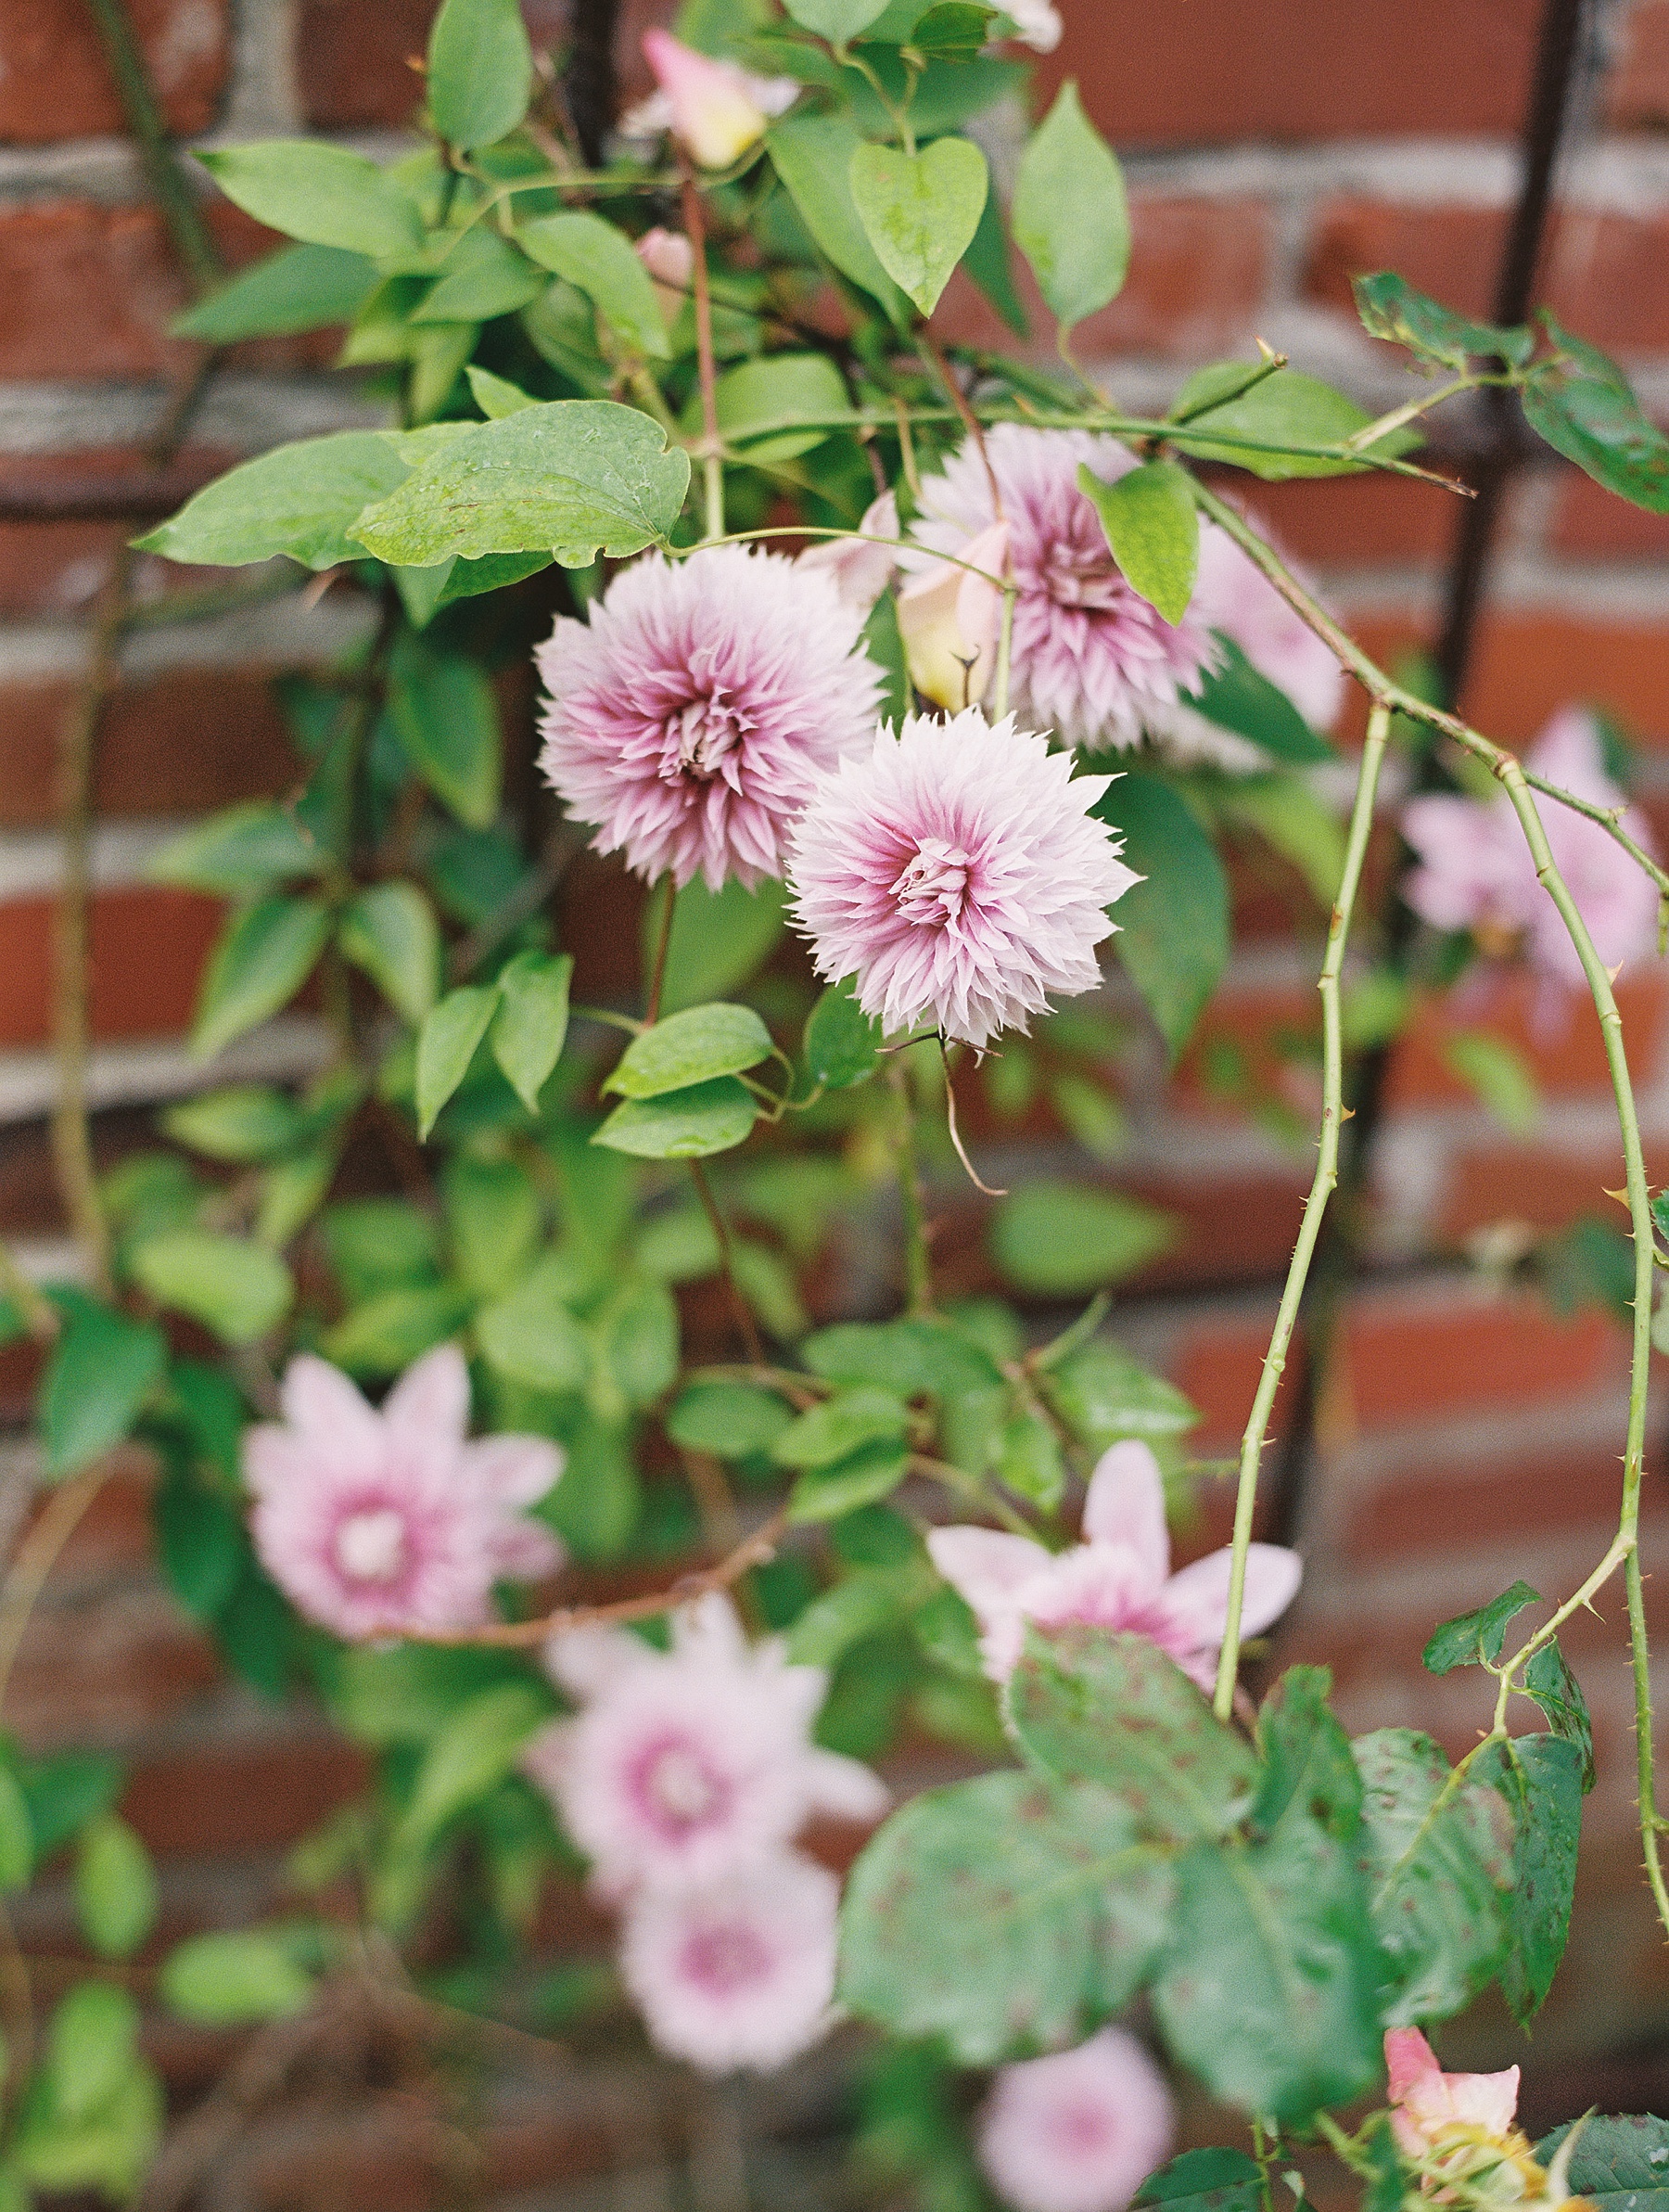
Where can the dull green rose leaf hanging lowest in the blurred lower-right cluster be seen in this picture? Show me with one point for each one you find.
(1270, 1983)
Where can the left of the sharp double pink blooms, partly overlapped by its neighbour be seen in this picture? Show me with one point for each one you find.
(691, 716)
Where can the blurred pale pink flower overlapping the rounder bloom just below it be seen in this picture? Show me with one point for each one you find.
(691, 1762)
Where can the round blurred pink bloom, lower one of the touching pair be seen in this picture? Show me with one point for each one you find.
(737, 1972)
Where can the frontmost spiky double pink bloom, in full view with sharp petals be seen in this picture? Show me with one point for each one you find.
(958, 875)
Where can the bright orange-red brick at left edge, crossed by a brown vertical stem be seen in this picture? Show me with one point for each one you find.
(147, 952)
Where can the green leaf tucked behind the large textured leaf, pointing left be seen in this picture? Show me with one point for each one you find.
(300, 501)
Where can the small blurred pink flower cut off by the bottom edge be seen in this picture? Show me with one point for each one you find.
(1078, 2131)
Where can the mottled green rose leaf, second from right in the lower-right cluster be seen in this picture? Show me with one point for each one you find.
(1438, 1866)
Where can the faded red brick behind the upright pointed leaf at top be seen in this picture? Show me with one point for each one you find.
(1197, 280)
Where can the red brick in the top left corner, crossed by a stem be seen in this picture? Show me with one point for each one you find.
(56, 83)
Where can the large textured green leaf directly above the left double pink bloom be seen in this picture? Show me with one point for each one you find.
(567, 477)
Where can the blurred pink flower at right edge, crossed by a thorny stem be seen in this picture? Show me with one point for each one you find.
(1476, 870)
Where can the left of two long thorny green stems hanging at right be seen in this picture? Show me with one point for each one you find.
(1327, 1173)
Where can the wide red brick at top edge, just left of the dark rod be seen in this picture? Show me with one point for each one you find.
(1297, 70)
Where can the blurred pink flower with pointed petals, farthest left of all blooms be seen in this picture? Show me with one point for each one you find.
(379, 1523)
